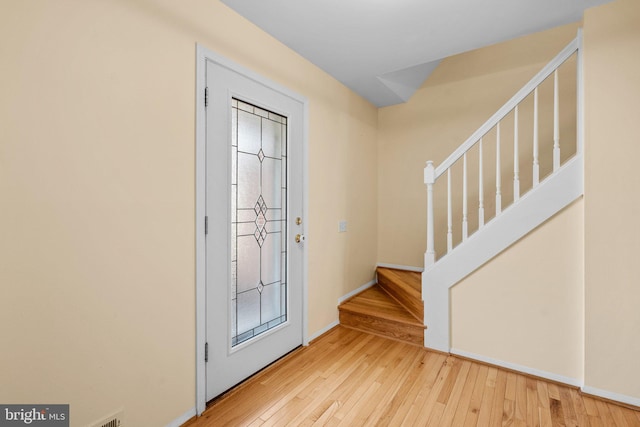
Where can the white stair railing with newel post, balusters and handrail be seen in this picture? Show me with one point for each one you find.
(432, 174)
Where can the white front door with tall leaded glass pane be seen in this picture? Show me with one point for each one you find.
(254, 209)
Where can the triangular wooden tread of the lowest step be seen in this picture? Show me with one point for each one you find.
(375, 302)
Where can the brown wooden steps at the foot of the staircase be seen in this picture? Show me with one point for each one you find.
(392, 308)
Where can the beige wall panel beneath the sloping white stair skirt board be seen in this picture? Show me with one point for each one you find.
(526, 306)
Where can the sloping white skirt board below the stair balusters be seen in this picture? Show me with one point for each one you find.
(535, 207)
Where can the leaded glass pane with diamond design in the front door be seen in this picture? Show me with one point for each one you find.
(258, 221)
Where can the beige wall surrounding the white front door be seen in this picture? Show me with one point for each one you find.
(97, 201)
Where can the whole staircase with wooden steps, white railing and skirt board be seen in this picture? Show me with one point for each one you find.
(395, 307)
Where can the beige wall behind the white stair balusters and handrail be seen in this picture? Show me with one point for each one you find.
(461, 94)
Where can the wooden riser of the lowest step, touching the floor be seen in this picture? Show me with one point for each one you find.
(399, 332)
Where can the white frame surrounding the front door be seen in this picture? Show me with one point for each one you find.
(202, 56)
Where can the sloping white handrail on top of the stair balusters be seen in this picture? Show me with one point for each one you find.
(559, 59)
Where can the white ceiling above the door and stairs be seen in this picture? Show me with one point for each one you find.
(385, 49)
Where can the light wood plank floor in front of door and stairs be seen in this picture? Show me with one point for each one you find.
(350, 378)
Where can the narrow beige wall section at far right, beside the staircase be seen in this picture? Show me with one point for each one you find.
(612, 234)
